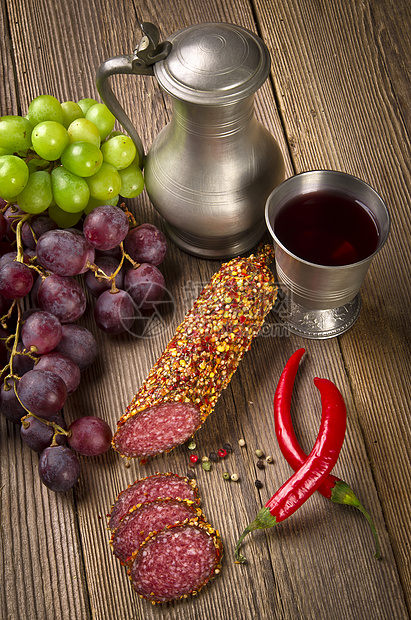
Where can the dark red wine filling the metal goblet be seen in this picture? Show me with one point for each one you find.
(326, 228)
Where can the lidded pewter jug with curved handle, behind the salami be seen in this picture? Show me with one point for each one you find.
(211, 169)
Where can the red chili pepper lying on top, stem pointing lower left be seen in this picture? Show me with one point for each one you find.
(306, 480)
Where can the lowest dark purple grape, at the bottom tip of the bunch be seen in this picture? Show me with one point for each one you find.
(59, 468)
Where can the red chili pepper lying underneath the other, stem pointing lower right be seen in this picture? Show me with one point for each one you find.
(333, 488)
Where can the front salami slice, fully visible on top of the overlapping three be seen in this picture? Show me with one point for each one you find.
(176, 562)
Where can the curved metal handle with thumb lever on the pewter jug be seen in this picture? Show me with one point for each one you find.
(148, 52)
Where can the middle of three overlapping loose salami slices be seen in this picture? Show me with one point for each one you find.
(147, 518)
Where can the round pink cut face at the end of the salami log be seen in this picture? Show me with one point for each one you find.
(157, 429)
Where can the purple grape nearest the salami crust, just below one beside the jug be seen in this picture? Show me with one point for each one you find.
(146, 286)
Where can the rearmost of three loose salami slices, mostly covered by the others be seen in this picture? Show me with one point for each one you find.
(158, 486)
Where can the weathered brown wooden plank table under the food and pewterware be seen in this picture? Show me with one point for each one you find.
(337, 98)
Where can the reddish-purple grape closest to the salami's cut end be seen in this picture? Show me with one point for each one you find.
(90, 436)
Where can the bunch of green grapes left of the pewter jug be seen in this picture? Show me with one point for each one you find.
(66, 159)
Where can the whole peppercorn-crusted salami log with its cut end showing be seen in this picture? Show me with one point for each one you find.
(184, 385)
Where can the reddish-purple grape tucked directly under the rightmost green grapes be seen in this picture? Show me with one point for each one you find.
(105, 227)
